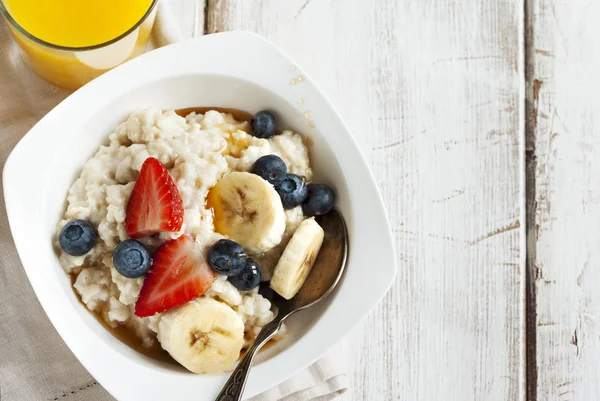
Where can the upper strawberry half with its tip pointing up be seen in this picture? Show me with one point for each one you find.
(154, 204)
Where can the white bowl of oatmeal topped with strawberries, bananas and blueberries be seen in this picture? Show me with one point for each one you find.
(140, 171)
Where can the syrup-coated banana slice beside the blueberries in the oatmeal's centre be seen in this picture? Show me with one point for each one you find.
(248, 210)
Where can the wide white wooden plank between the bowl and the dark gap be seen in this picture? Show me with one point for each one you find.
(432, 90)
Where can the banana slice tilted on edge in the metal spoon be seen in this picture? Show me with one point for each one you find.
(297, 259)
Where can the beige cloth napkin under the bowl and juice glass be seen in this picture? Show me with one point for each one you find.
(35, 364)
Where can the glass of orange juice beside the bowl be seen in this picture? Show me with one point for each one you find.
(70, 42)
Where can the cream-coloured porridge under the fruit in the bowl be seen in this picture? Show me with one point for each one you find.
(197, 151)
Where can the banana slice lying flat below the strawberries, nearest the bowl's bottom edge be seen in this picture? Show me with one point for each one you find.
(204, 335)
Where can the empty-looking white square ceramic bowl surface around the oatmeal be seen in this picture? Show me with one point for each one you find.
(238, 70)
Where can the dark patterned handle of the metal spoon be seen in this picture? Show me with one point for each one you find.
(234, 388)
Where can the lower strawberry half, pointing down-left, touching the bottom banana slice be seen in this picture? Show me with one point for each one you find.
(179, 273)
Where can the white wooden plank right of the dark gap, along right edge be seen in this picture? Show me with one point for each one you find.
(563, 127)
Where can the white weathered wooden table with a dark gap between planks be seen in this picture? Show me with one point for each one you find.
(481, 121)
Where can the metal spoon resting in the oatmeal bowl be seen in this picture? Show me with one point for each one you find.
(323, 278)
